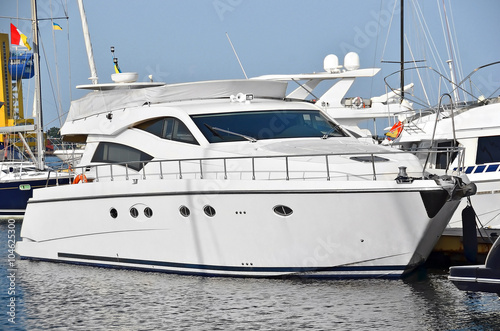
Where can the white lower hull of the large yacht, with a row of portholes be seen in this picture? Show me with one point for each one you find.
(335, 229)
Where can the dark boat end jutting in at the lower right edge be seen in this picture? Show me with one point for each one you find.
(479, 278)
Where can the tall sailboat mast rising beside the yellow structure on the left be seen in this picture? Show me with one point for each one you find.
(40, 146)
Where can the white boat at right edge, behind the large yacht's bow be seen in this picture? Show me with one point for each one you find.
(474, 125)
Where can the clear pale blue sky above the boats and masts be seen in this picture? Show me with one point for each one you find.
(181, 41)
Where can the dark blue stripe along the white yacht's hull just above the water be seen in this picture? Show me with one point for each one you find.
(226, 268)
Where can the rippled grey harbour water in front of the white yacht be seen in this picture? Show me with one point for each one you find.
(68, 297)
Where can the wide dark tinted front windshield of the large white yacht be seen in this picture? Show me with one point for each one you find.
(269, 124)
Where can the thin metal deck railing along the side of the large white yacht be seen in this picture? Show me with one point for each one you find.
(202, 167)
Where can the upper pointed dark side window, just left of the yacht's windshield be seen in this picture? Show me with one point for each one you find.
(168, 128)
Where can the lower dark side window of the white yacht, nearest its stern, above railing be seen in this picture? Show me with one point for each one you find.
(117, 153)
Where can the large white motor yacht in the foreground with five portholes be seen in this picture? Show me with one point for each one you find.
(230, 178)
